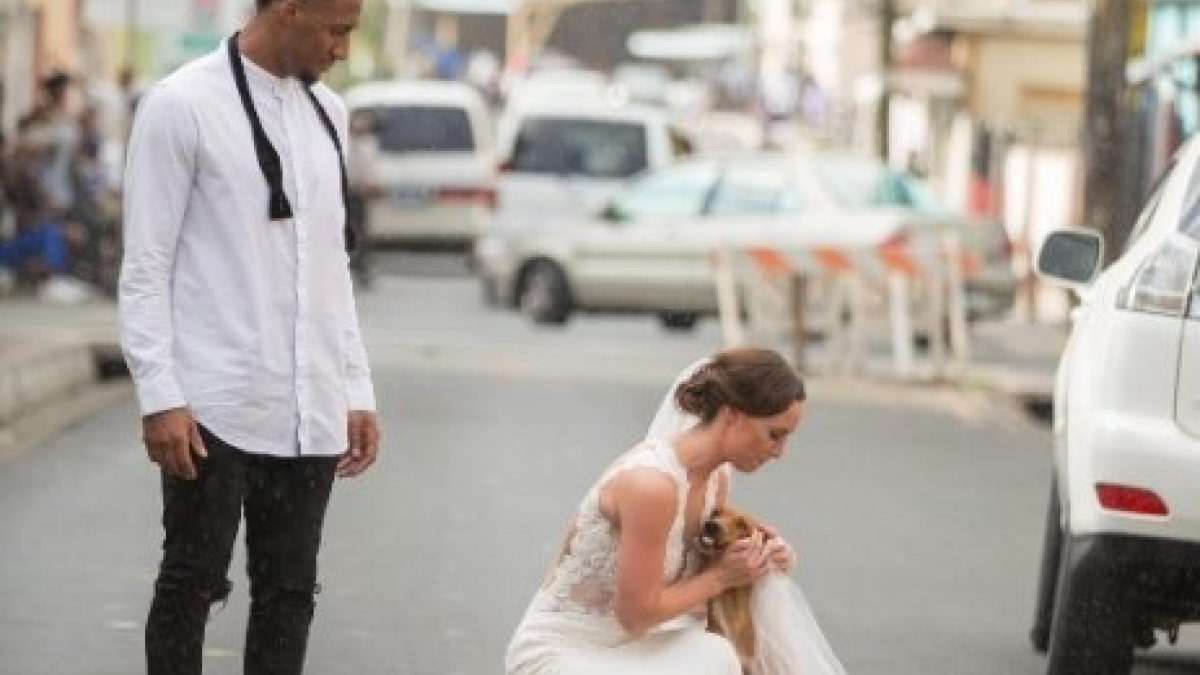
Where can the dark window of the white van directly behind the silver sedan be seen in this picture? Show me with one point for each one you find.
(580, 147)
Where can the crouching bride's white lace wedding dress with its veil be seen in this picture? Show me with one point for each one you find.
(571, 628)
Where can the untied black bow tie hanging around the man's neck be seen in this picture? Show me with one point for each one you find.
(279, 207)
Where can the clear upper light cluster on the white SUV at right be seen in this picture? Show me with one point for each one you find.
(1163, 283)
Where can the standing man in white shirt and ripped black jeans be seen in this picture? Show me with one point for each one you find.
(239, 326)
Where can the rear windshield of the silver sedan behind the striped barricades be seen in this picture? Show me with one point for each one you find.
(860, 184)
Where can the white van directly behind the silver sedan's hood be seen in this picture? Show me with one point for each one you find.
(562, 160)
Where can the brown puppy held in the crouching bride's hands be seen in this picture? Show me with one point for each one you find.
(729, 614)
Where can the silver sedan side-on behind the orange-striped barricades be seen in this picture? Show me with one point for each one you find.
(651, 249)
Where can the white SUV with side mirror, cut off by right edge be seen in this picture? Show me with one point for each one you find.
(1121, 555)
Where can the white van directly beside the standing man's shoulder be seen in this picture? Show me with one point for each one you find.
(436, 166)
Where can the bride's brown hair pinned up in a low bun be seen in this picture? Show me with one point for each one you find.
(755, 381)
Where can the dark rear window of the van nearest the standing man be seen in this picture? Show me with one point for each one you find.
(424, 129)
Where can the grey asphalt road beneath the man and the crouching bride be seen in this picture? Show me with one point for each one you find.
(917, 511)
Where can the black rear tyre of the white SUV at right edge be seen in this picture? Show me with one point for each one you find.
(1093, 630)
